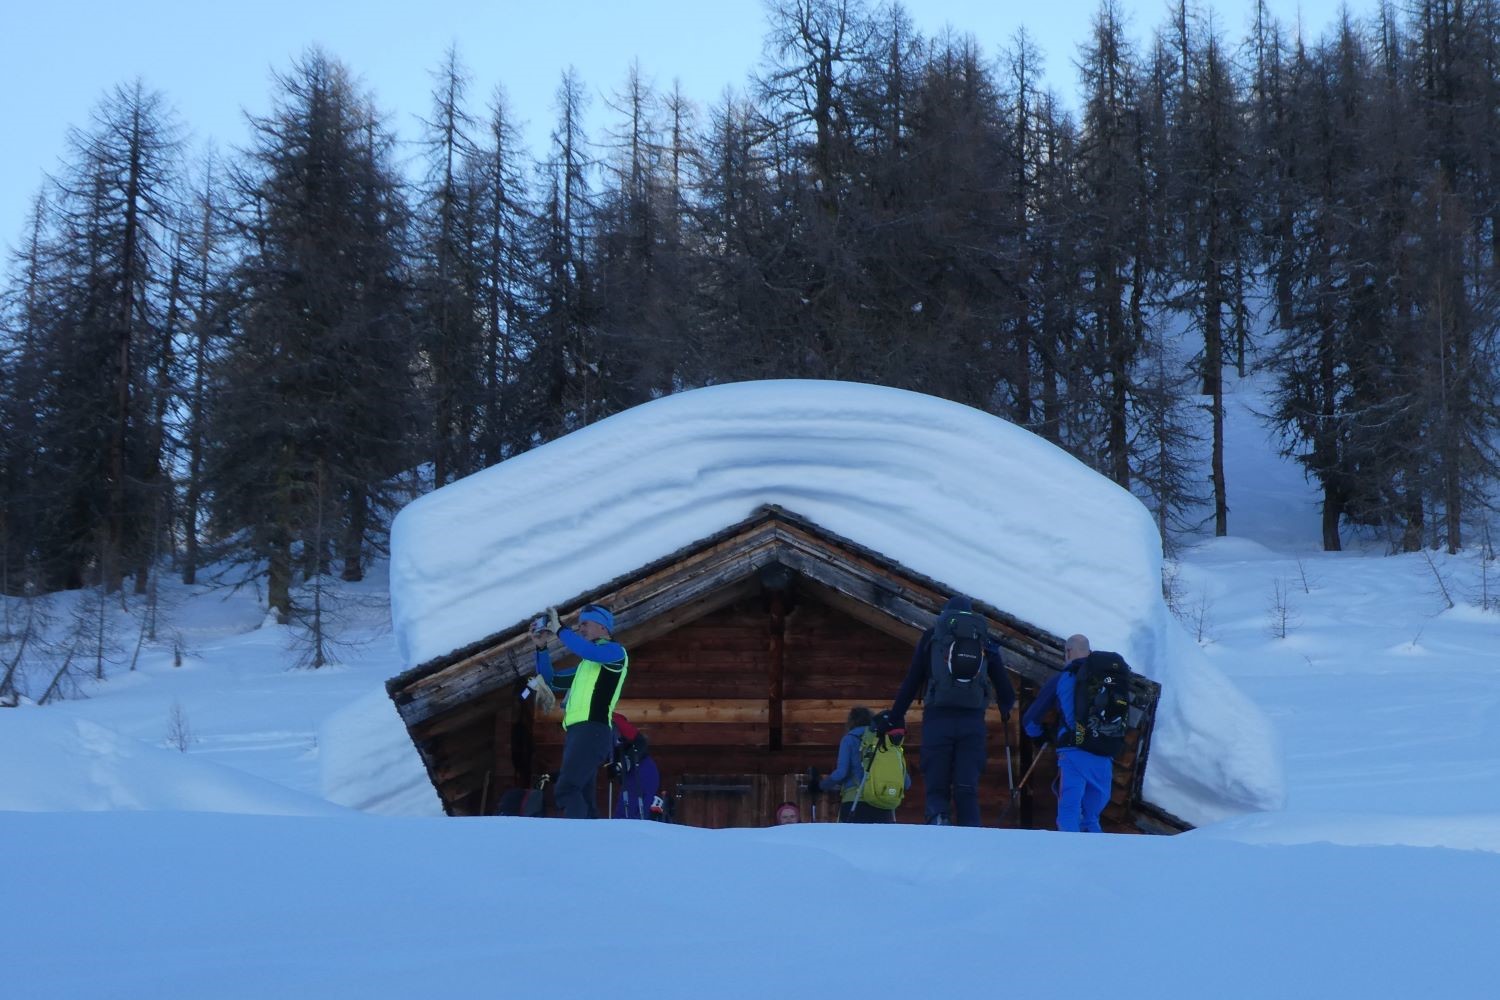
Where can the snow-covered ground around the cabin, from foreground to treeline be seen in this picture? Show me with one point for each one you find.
(236, 869)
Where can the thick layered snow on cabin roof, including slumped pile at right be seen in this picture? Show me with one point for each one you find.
(944, 490)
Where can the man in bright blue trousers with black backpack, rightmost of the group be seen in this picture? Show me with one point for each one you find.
(1091, 696)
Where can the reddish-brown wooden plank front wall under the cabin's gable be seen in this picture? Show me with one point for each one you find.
(703, 695)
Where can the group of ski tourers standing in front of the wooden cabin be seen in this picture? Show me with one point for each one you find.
(958, 671)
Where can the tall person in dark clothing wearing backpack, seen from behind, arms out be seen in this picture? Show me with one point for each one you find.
(959, 671)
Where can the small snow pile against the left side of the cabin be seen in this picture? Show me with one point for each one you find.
(368, 764)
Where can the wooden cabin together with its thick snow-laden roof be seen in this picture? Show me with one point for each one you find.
(772, 554)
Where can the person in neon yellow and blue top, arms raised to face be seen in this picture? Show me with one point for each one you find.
(590, 695)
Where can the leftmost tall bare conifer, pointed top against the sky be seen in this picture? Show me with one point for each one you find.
(103, 347)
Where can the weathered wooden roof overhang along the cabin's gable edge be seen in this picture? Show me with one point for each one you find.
(460, 690)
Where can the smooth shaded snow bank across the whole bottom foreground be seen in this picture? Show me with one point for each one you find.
(359, 906)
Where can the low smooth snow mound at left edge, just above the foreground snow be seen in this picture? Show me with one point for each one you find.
(55, 762)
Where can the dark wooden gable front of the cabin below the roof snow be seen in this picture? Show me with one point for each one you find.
(748, 651)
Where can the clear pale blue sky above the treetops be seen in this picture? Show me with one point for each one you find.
(214, 61)
